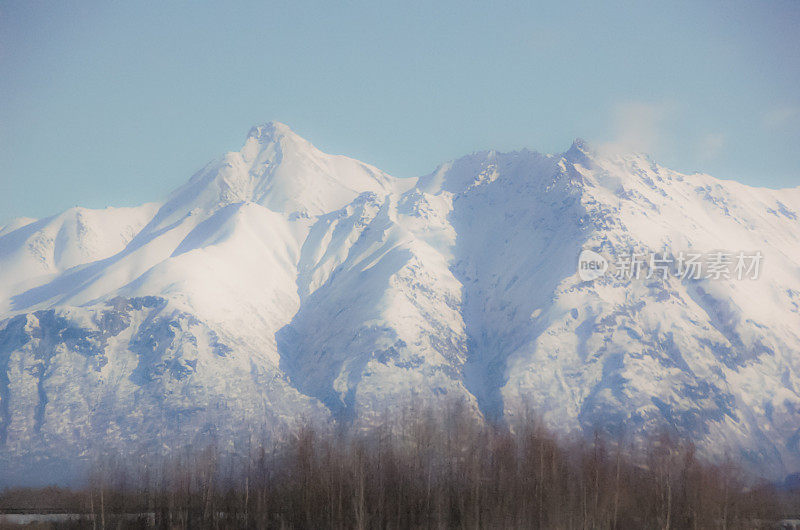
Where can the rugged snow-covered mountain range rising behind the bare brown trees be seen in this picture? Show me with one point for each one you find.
(282, 284)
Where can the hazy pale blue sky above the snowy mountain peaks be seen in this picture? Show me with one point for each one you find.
(117, 103)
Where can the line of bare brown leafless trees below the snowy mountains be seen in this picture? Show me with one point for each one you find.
(442, 469)
